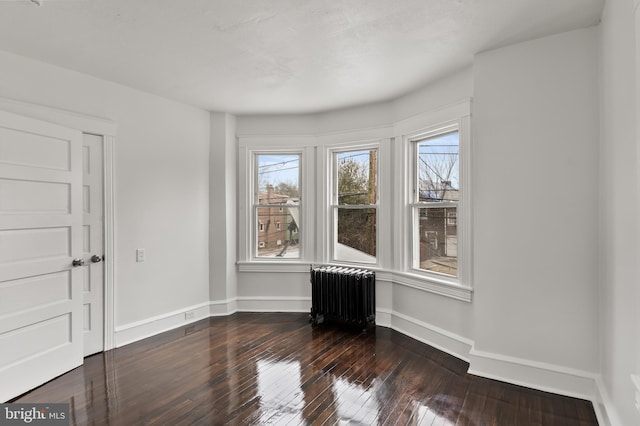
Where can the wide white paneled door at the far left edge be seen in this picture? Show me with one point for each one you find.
(40, 236)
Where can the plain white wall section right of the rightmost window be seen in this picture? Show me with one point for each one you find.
(535, 201)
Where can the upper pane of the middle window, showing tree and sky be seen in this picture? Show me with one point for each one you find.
(357, 177)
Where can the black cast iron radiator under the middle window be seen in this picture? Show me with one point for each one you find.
(343, 294)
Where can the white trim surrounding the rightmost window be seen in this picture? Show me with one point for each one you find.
(434, 281)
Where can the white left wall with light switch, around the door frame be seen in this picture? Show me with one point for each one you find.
(161, 188)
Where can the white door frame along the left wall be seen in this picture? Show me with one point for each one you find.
(106, 129)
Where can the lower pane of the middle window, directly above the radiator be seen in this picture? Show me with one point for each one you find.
(356, 235)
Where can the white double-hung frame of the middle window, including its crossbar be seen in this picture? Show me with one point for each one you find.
(334, 206)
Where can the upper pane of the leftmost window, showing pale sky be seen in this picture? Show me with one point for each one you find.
(278, 178)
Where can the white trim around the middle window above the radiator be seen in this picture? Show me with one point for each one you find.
(331, 185)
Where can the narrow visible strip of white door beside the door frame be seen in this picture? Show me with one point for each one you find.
(93, 245)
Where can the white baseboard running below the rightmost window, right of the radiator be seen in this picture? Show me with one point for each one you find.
(441, 339)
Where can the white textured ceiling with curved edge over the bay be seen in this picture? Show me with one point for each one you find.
(277, 56)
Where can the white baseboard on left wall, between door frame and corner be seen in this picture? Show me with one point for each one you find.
(139, 330)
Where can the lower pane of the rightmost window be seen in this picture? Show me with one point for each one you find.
(438, 236)
